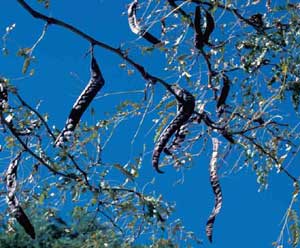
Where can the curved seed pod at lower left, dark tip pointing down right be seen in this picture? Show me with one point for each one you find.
(13, 204)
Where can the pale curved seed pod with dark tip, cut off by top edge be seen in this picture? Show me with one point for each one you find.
(135, 27)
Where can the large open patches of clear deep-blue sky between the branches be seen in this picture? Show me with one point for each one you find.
(248, 219)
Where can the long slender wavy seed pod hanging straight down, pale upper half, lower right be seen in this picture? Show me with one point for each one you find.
(216, 189)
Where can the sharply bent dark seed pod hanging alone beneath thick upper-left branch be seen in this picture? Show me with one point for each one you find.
(95, 84)
